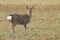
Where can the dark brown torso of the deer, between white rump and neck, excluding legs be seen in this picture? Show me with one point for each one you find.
(20, 19)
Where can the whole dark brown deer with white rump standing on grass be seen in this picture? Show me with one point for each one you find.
(20, 19)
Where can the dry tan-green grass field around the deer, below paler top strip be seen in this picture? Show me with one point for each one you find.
(44, 24)
